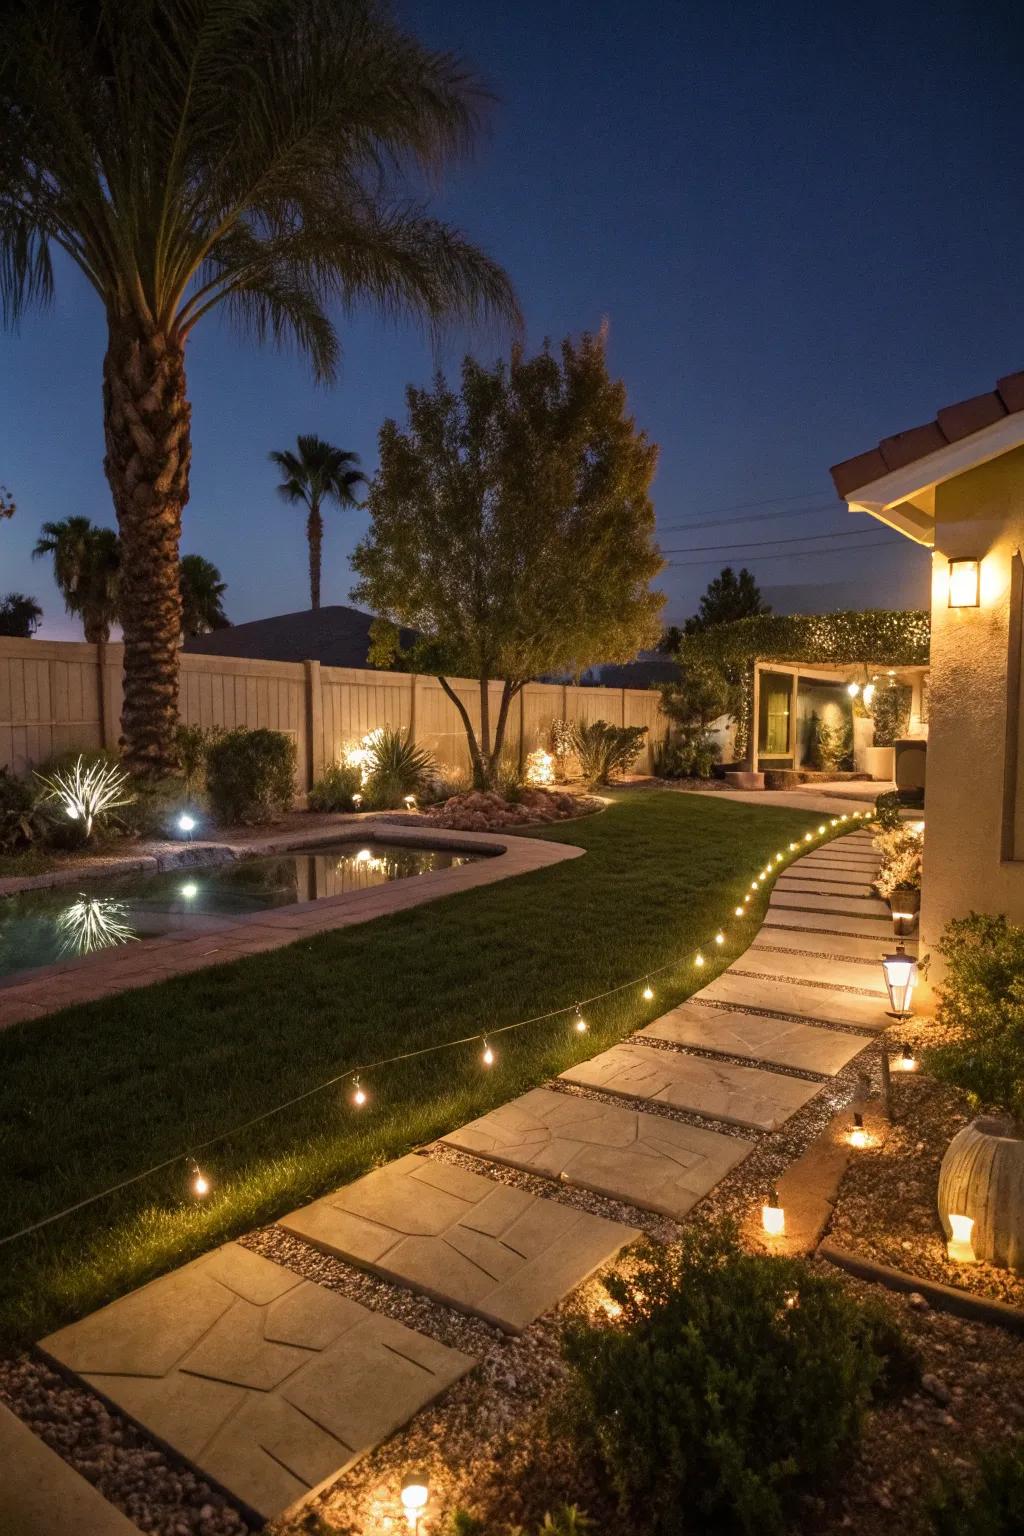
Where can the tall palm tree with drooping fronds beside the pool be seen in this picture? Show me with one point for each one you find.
(263, 157)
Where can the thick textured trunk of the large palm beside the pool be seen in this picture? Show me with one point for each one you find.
(148, 454)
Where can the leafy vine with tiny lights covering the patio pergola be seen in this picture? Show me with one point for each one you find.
(876, 638)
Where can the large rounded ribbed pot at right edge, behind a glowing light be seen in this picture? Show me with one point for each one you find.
(983, 1177)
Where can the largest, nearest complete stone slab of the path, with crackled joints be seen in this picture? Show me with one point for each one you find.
(265, 1382)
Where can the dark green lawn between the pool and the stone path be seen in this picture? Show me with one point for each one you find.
(99, 1093)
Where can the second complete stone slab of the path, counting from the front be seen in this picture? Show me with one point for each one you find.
(487, 1248)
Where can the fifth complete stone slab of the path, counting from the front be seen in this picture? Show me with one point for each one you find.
(782, 1042)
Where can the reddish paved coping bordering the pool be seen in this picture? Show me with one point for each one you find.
(48, 990)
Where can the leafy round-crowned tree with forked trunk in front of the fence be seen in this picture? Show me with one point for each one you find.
(514, 529)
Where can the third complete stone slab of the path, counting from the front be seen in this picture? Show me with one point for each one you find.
(649, 1160)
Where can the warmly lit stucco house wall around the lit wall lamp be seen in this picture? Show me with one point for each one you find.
(976, 760)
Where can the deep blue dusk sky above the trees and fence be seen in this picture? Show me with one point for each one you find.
(804, 225)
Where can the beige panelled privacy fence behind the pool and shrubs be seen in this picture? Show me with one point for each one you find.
(65, 697)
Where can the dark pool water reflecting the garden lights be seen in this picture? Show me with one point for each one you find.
(67, 922)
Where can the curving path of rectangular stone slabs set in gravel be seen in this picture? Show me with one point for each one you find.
(273, 1386)
